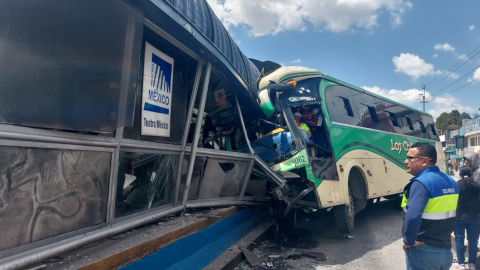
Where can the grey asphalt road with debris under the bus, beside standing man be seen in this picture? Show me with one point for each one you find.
(376, 242)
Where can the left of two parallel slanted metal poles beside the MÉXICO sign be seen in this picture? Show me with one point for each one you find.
(187, 128)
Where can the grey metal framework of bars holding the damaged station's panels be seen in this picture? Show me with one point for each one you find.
(36, 252)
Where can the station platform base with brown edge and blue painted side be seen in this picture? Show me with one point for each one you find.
(189, 242)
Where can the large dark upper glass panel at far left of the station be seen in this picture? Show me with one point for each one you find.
(58, 73)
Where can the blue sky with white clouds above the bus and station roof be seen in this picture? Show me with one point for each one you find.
(389, 47)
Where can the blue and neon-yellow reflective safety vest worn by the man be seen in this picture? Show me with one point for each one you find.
(438, 218)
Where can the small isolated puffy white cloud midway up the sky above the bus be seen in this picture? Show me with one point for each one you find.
(413, 66)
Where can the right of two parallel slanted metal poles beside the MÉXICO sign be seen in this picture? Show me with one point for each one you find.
(196, 136)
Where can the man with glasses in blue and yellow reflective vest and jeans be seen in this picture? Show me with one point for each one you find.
(430, 203)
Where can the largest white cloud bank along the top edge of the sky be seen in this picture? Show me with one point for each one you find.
(274, 16)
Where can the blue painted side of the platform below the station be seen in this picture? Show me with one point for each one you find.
(199, 249)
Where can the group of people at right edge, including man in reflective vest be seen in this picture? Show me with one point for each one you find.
(435, 205)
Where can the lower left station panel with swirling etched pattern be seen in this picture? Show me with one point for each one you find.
(48, 192)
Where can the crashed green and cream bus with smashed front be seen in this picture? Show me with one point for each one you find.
(345, 147)
